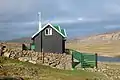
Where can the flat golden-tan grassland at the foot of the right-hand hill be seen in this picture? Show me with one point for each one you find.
(104, 48)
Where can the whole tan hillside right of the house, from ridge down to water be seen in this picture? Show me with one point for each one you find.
(104, 44)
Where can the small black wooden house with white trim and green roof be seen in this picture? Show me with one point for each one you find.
(49, 39)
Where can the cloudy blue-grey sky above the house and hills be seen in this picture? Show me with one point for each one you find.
(18, 18)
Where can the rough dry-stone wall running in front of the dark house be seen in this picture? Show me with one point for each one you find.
(60, 61)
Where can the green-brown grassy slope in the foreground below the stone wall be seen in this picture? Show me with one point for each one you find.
(28, 71)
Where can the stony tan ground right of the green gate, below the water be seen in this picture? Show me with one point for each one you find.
(111, 70)
